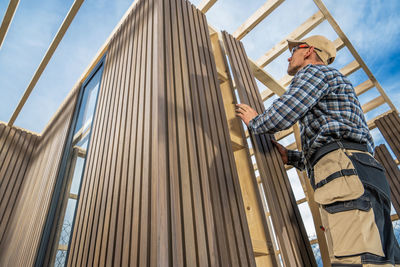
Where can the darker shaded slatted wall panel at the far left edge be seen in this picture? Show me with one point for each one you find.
(16, 148)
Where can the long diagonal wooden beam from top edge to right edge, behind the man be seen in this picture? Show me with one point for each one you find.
(353, 51)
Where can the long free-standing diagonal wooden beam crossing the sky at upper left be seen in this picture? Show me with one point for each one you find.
(50, 51)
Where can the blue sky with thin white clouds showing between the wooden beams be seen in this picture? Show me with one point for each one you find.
(372, 26)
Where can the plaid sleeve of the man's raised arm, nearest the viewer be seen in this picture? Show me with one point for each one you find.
(307, 88)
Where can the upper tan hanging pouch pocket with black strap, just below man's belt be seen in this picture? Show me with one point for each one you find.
(335, 179)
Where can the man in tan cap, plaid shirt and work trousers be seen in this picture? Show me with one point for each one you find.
(349, 184)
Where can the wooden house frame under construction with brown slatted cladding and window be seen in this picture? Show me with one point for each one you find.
(145, 162)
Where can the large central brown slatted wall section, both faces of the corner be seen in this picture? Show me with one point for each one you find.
(160, 185)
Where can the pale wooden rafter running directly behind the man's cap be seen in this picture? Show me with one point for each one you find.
(298, 33)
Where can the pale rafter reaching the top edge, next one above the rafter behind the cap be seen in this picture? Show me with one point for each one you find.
(266, 9)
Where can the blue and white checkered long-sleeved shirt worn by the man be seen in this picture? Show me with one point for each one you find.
(326, 106)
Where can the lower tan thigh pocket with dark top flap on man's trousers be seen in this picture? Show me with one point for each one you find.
(351, 229)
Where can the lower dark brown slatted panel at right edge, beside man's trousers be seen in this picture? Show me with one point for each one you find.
(392, 174)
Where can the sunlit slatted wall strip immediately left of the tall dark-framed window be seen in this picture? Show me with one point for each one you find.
(21, 239)
